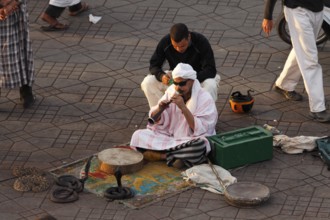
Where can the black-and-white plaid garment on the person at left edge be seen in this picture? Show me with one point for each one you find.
(16, 58)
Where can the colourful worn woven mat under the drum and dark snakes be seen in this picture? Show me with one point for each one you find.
(154, 182)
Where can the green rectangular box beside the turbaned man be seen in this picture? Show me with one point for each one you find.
(240, 147)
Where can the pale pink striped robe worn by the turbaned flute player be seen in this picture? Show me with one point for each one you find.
(173, 129)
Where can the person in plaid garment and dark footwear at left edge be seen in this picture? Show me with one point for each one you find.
(16, 58)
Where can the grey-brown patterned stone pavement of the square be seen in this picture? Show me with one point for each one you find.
(89, 99)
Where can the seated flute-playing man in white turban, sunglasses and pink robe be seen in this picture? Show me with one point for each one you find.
(179, 133)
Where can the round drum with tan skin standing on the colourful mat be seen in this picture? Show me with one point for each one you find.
(128, 160)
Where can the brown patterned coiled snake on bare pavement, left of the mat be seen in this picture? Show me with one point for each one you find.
(30, 179)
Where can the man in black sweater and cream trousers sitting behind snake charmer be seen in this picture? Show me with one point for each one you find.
(181, 46)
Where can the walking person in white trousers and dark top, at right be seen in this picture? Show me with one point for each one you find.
(304, 18)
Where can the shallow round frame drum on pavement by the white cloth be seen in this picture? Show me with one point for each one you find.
(246, 194)
